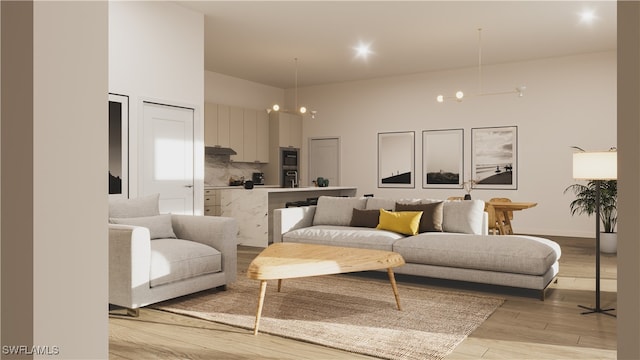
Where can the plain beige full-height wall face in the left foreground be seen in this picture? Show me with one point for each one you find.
(70, 286)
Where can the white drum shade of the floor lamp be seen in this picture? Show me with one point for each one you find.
(595, 165)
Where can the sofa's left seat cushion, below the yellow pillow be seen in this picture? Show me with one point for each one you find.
(344, 236)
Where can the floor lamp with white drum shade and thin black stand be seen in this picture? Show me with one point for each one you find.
(596, 166)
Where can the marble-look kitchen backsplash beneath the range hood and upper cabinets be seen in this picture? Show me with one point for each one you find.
(218, 169)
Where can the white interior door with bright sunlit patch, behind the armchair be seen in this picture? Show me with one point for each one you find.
(167, 156)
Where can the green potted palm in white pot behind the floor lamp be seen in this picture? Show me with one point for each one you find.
(585, 203)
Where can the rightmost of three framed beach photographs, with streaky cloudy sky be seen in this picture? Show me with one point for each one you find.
(494, 157)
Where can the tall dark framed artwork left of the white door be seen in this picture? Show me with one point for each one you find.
(118, 146)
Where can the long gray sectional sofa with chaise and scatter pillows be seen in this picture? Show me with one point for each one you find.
(458, 246)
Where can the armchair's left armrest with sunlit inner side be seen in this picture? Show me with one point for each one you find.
(129, 262)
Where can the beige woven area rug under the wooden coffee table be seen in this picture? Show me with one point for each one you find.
(346, 312)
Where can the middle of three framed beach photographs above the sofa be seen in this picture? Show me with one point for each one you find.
(442, 159)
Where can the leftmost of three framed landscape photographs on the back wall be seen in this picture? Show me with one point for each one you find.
(396, 153)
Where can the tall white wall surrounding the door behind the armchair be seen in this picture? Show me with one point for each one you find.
(156, 52)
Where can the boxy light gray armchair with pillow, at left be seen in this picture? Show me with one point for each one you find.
(154, 257)
